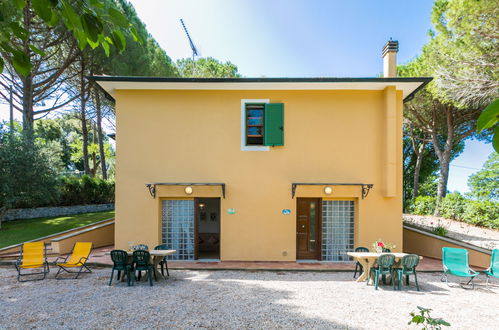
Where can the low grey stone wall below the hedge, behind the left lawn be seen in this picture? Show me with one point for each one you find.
(42, 212)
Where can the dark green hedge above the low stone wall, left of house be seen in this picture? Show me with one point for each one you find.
(85, 190)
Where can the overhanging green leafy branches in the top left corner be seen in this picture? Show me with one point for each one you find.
(90, 22)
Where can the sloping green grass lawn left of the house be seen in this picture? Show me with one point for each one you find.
(18, 231)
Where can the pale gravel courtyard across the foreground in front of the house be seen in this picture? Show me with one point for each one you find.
(244, 299)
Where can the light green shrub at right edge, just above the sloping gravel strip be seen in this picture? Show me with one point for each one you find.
(482, 213)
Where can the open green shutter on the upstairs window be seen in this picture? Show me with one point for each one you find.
(274, 124)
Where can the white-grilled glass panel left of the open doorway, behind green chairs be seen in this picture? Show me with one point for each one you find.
(178, 228)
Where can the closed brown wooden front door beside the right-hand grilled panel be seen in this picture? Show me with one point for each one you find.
(308, 225)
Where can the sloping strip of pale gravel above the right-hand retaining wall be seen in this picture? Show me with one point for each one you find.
(479, 236)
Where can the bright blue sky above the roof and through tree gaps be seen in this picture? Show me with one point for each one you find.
(300, 38)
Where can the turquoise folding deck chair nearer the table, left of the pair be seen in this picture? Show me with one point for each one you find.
(455, 262)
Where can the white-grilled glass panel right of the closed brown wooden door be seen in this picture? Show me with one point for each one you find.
(337, 230)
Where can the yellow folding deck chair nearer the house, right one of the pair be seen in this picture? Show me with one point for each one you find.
(77, 259)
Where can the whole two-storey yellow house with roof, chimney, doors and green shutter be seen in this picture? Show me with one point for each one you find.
(262, 169)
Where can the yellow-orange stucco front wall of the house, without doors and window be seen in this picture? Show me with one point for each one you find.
(194, 136)
